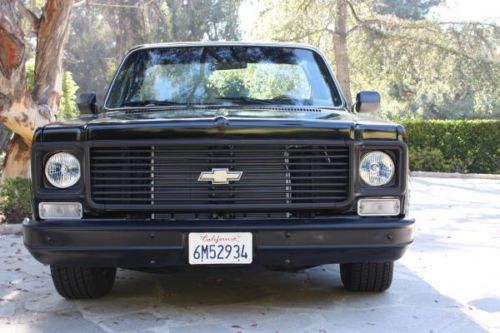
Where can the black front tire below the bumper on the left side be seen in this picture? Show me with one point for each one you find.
(75, 282)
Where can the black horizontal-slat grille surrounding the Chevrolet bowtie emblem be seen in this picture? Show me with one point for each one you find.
(159, 176)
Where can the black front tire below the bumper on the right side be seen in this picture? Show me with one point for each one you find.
(368, 277)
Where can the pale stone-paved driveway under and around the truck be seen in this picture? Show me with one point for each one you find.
(448, 282)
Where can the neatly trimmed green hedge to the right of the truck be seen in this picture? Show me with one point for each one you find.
(465, 146)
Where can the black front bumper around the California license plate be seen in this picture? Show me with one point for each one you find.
(142, 244)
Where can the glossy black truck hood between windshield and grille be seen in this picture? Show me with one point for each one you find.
(230, 123)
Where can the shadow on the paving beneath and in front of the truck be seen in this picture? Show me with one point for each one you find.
(252, 300)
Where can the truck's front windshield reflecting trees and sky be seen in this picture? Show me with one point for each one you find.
(222, 75)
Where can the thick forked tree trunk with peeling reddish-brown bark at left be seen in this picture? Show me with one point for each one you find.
(20, 110)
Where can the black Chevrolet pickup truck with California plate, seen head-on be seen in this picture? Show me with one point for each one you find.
(220, 154)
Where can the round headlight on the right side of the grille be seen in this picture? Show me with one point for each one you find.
(376, 168)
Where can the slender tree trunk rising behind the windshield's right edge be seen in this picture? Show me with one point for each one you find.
(340, 49)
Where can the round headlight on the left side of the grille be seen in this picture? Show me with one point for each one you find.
(62, 170)
